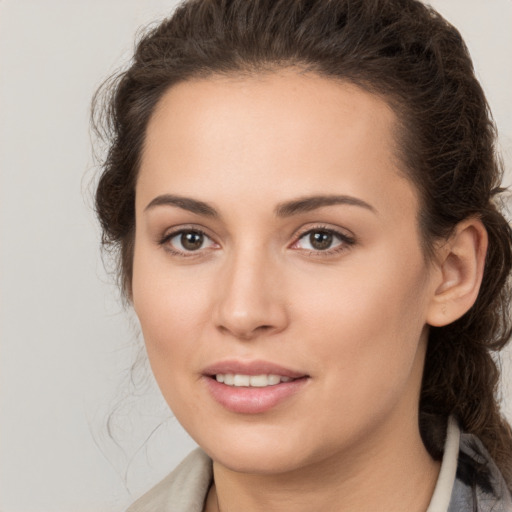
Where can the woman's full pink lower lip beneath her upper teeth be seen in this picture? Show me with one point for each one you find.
(253, 400)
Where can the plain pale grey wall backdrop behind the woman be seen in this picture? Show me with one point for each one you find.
(66, 343)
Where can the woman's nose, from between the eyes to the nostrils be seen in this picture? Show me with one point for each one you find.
(250, 300)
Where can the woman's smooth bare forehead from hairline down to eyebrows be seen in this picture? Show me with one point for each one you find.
(280, 131)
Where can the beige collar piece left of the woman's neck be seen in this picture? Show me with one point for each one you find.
(184, 489)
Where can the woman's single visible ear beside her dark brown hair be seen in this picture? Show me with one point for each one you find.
(460, 267)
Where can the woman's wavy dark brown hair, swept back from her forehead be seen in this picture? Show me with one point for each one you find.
(408, 54)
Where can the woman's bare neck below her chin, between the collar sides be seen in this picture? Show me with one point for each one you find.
(392, 471)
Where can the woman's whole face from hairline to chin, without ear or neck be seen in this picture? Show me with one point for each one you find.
(277, 241)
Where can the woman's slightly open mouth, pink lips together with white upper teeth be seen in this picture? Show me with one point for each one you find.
(253, 387)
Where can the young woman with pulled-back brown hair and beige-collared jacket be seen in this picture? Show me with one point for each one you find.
(303, 198)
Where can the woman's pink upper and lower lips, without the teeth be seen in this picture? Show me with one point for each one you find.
(252, 400)
